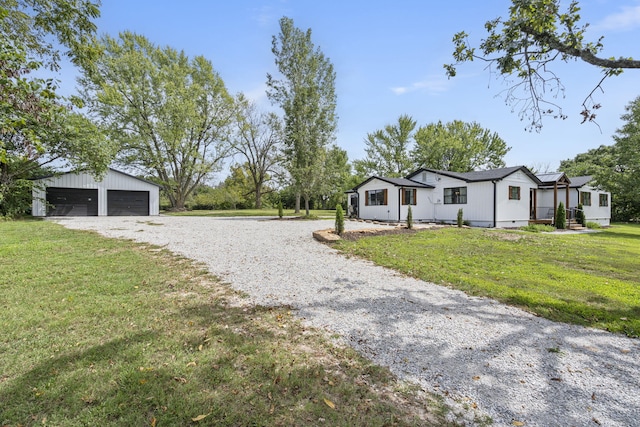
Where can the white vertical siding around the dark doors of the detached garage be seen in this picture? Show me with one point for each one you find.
(113, 180)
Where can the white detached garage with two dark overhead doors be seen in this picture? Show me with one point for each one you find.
(79, 194)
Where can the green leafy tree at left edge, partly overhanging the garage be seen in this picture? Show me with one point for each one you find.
(37, 126)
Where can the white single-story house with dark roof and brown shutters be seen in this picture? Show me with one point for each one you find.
(500, 198)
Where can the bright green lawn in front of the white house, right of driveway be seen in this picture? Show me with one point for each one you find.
(587, 279)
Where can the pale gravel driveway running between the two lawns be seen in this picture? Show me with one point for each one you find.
(484, 357)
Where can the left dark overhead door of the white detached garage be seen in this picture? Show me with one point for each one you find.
(72, 202)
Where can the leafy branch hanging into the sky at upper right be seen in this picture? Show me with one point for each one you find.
(522, 48)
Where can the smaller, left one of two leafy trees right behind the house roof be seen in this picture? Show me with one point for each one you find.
(387, 150)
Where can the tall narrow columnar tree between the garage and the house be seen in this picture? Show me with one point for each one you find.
(306, 93)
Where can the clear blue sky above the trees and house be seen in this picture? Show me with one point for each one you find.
(388, 58)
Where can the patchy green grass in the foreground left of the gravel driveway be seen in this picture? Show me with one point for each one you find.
(98, 331)
